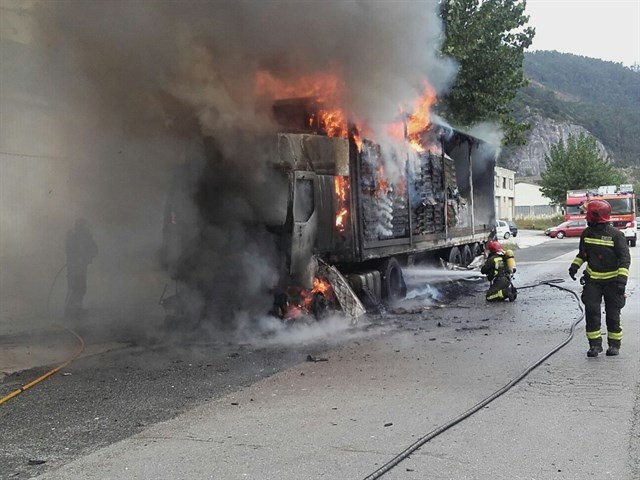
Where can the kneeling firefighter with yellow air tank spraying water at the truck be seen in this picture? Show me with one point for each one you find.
(499, 268)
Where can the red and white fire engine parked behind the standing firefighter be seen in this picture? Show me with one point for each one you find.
(623, 207)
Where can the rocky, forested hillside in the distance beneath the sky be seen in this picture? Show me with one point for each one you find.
(569, 94)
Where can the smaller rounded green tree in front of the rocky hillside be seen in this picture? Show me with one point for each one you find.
(576, 165)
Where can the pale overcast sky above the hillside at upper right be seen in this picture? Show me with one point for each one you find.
(605, 29)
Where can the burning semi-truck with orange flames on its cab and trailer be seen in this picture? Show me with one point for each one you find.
(355, 213)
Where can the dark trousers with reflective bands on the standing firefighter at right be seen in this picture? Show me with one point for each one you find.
(592, 295)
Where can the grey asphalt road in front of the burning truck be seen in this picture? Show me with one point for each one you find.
(227, 411)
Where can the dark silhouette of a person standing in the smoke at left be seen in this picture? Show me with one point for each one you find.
(80, 250)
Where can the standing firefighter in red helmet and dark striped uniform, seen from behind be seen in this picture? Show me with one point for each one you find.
(605, 251)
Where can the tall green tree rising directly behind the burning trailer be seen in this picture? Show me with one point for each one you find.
(488, 39)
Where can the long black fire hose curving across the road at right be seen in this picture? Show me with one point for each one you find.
(395, 461)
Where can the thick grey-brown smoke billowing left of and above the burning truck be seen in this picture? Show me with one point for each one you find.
(129, 86)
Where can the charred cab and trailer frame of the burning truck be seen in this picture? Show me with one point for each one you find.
(344, 209)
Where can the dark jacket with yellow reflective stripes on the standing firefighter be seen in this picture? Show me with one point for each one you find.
(605, 250)
